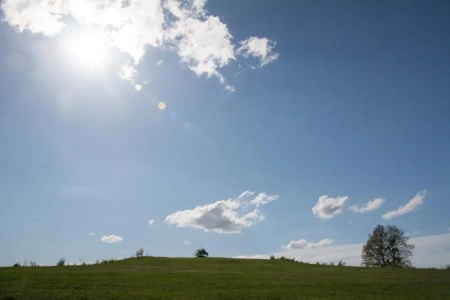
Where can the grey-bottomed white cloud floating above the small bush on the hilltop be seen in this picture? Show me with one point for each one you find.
(224, 216)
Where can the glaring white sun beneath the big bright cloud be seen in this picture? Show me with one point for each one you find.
(88, 49)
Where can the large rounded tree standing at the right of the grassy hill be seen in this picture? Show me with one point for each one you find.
(387, 247)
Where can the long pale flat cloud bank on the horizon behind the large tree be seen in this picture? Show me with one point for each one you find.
(430, 251)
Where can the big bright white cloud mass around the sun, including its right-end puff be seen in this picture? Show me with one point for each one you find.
(202, 41)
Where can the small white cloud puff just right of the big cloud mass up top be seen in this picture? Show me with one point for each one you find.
(261, 48)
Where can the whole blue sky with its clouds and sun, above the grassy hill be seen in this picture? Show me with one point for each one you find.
(283, 127)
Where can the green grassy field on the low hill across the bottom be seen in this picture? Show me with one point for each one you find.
(220, 278)
